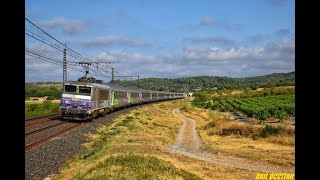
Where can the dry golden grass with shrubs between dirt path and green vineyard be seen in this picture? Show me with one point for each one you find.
(255, 142)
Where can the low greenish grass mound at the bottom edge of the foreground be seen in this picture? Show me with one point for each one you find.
(133, 166)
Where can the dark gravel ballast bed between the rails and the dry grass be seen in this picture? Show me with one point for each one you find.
(46, 159)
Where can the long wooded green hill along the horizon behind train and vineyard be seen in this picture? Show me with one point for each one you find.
(203, 82)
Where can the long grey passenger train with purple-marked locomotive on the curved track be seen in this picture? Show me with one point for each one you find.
(87, 100)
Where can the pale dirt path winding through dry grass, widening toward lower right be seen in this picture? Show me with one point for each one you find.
(189, 144)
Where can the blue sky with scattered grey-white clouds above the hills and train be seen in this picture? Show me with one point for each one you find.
(161, 39)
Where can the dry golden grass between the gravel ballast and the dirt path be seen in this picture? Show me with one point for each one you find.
(134, 146)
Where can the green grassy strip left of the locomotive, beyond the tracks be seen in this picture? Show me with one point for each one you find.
(38, 109)
